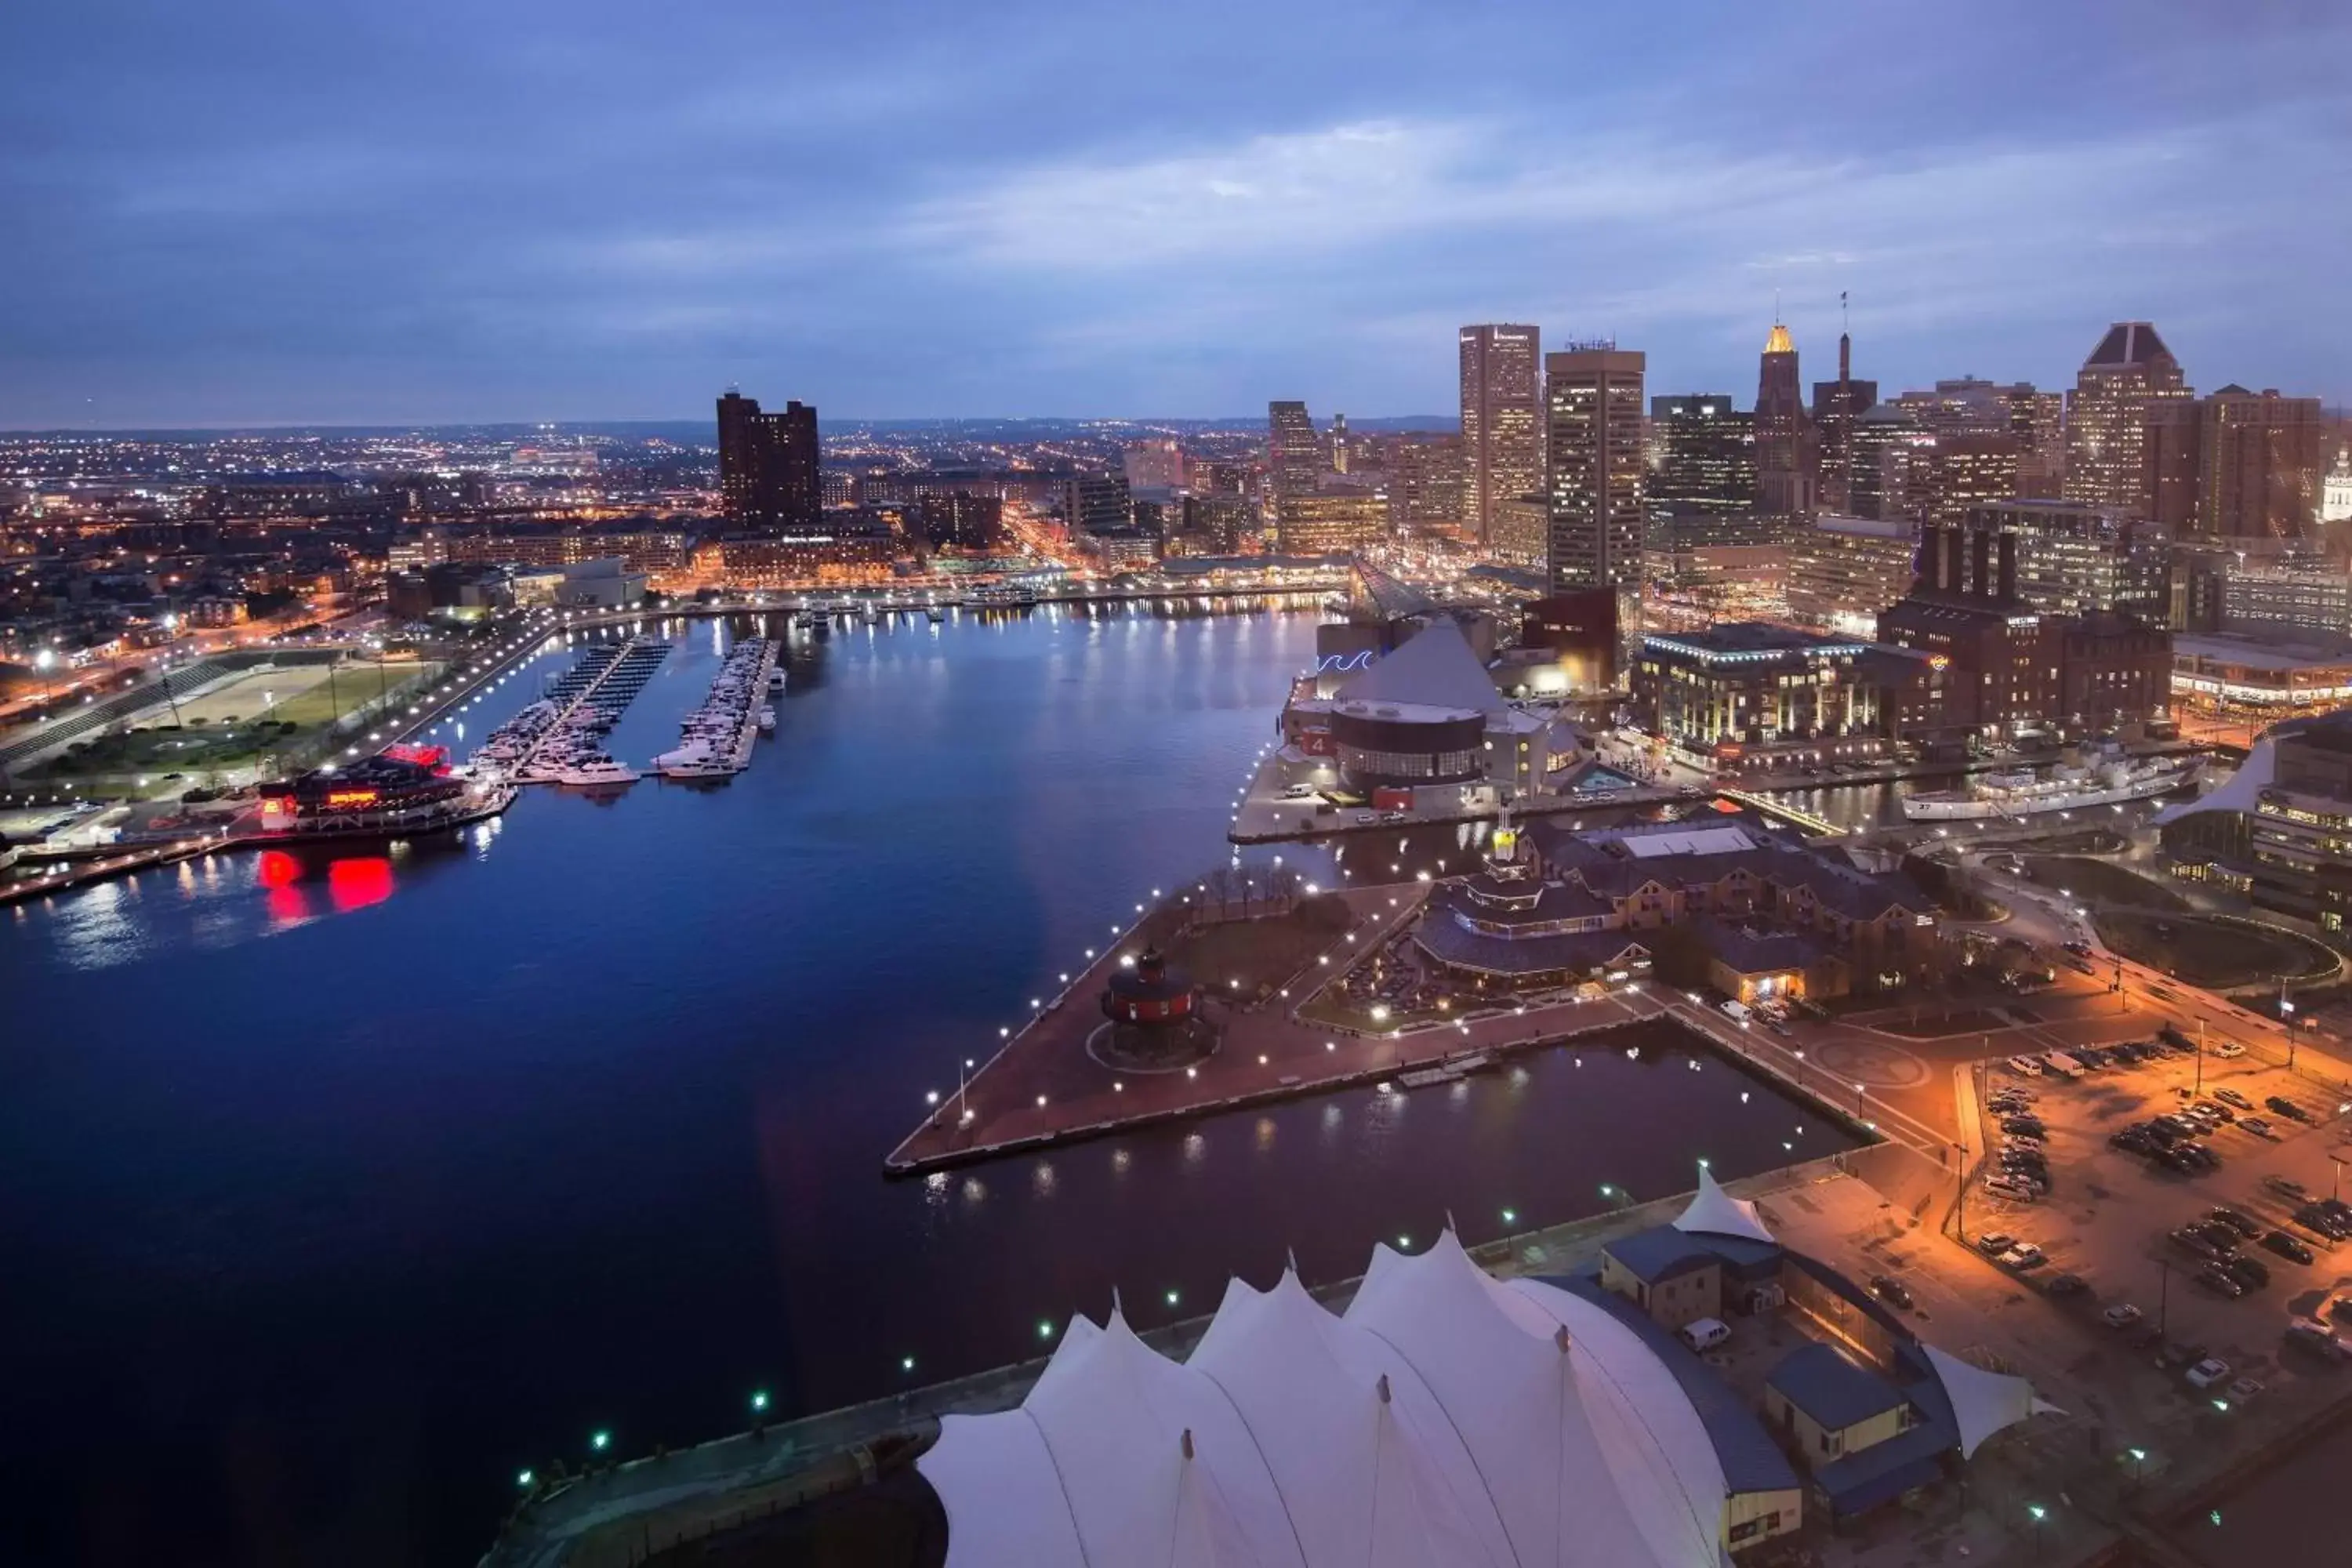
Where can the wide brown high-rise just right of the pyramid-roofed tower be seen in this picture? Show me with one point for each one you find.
(2238, 464)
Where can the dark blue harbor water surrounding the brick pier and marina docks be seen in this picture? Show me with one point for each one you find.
(340, 1186)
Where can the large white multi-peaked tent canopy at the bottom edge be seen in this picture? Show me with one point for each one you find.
(1445, 1421)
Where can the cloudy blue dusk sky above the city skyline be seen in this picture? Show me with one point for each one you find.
(450, 210)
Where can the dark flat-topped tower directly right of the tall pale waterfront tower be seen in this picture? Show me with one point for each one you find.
(1593, 441)
